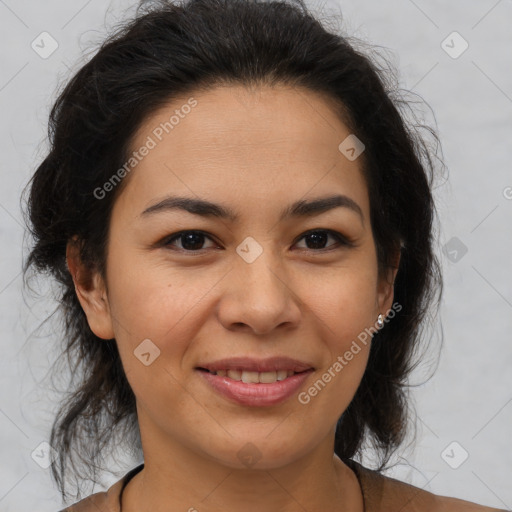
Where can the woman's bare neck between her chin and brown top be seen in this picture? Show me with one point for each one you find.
(176, 478)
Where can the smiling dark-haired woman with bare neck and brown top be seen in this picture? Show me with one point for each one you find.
(241, 223)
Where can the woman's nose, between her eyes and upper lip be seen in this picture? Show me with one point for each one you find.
(258, 297)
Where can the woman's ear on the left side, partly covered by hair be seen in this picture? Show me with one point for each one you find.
(91, 292)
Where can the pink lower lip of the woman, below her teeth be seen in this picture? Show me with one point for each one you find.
(256, 394)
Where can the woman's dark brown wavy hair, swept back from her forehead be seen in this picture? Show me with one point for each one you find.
(169, 49)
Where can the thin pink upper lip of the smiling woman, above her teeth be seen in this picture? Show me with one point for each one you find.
(249, 364)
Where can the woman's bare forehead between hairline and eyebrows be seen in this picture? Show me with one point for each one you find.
(257, 146)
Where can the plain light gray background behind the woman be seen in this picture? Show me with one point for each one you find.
(469, 398)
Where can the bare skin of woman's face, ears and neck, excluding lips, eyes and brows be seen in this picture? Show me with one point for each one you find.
(254, 151)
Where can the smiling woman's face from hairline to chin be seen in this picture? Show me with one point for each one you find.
(254, 286)
